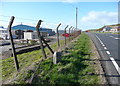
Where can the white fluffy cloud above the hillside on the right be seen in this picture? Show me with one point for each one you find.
(96, 19)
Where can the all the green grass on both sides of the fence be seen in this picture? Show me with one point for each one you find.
(74, 67)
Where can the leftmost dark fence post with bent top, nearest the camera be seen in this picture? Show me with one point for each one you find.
(12, 43)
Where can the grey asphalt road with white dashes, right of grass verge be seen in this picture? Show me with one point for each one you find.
(108, 48)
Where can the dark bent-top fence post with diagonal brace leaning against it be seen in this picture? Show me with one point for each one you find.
(40, 38)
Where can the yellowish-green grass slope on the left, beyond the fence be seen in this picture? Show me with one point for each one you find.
(26, 61)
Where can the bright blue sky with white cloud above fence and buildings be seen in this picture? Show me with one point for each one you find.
(91, 15)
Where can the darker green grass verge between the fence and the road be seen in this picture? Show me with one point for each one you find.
(72, 69)
